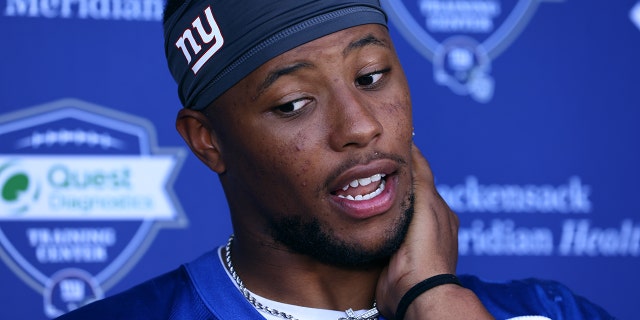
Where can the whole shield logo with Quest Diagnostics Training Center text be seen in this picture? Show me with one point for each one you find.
(83, 191)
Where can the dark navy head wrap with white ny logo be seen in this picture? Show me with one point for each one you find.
(211, 45)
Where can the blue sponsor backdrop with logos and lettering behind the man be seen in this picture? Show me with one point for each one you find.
(527, 111)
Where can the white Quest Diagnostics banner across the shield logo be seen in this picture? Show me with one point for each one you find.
(85, 187)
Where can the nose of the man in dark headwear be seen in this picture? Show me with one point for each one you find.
(354, 120)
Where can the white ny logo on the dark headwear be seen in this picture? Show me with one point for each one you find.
(213, 40)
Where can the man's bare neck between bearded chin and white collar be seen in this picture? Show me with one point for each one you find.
(276, 273)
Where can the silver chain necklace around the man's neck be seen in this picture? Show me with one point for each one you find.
(371, 314)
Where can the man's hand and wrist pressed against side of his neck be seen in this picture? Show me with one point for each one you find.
(430, 248)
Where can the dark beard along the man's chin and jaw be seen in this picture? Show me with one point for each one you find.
(310, 237)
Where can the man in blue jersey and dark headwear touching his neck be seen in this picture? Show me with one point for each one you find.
(303, 111)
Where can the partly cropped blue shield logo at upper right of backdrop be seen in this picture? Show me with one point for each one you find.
(462, 37)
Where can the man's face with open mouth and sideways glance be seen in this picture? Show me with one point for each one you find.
(316, 147)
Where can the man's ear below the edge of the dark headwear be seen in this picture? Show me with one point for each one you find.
(196, 130)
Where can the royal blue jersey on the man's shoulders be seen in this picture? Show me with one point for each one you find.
(202, 290)
